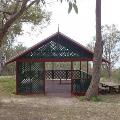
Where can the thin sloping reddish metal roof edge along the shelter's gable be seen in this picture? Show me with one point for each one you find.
(47, 40)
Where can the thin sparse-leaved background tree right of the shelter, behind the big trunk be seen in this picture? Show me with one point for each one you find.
(111, 50)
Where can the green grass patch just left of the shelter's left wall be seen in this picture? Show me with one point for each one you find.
(7, 85)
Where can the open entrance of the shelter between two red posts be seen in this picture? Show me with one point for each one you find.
(58, 78)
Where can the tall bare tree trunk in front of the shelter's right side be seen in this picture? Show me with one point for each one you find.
(97, 60)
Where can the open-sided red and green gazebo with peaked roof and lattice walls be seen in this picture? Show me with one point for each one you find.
(33, 77)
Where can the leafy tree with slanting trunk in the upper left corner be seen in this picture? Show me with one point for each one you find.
(13, 13)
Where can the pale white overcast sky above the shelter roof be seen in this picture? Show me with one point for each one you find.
(80, 27)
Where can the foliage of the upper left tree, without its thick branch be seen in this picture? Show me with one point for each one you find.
(34, 14)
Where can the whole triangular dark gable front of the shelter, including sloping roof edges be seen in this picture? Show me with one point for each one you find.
(57, 46)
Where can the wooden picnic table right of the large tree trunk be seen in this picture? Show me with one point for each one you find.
(111, 86)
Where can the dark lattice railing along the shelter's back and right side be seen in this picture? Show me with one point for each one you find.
(80, 80)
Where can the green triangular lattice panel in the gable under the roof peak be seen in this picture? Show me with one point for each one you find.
(54, 49)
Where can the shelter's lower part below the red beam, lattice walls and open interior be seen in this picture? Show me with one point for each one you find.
(53, 78)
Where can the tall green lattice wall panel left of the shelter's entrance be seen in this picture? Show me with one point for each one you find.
(31, 77)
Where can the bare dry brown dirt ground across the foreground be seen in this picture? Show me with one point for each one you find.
(58, 108)
